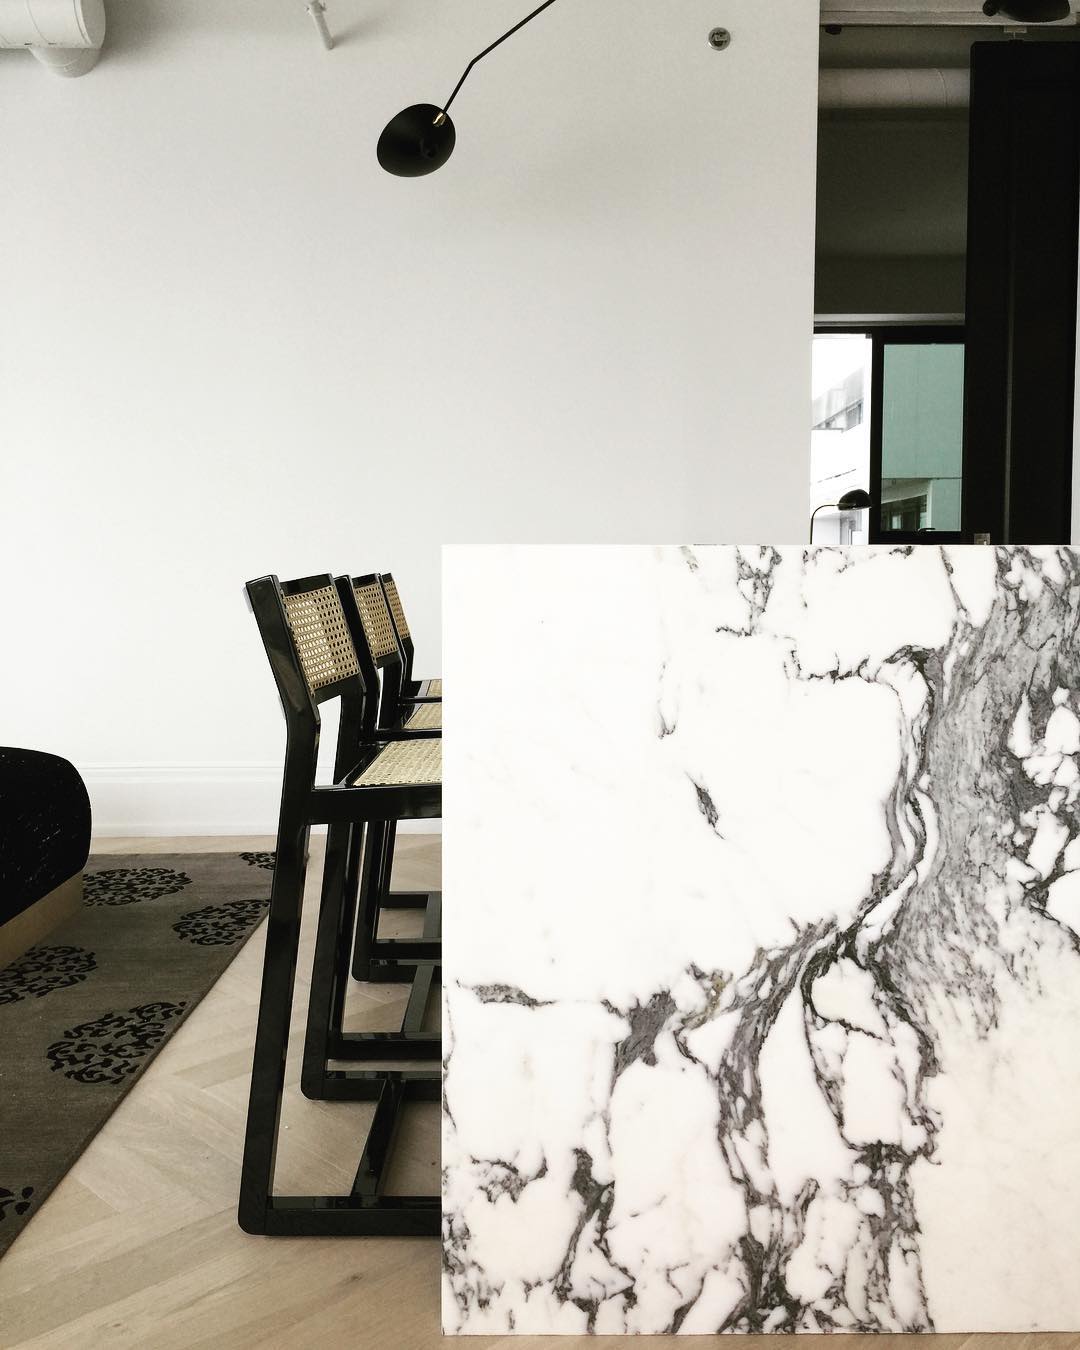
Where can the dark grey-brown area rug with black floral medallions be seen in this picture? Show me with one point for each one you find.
(84, 1013)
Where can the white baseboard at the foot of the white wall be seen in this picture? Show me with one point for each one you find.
(180, 800)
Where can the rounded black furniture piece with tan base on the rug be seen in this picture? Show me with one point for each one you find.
(45, 840)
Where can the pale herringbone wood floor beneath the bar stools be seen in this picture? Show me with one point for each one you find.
(140, 1247)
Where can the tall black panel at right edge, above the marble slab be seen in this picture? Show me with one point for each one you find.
(1021, 291)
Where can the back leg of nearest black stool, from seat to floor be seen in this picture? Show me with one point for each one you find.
(272, 1036)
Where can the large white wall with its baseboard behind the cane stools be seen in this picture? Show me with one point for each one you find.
(232, 345)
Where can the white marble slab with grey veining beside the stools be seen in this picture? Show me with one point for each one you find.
(762, 966)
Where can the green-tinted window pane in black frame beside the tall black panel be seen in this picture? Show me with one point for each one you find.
(923, 435)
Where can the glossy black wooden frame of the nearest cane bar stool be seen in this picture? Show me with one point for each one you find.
(346, 809)
